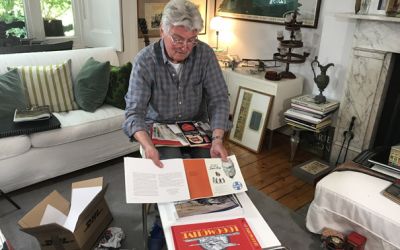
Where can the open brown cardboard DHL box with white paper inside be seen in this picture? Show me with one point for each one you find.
(91, 219)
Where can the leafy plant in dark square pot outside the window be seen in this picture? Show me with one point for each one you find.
(52, 10)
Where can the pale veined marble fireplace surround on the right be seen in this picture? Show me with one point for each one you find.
(376, 38)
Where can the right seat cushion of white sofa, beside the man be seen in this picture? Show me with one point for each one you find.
(79, 124)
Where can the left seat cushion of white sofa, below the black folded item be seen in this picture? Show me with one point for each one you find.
(14, 146)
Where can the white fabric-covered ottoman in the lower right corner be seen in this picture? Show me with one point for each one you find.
(352, 201)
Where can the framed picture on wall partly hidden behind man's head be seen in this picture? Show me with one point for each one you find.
(151, 11)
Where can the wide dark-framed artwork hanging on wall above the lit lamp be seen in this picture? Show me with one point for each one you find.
(272, 11)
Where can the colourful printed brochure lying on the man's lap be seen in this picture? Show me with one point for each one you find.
(181, 134)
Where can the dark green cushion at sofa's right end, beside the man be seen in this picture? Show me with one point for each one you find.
(119, 83)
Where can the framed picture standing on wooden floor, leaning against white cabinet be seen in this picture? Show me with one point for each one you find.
(250, 117)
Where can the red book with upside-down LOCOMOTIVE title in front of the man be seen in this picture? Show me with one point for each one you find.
(225, 234)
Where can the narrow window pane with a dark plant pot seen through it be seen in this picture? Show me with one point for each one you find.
(58, 18)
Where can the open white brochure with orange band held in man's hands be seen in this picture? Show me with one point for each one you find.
(181, 179)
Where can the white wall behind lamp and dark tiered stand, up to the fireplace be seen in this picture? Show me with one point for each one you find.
(331, 42)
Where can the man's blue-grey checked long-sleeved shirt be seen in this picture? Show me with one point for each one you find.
(157, 93)
